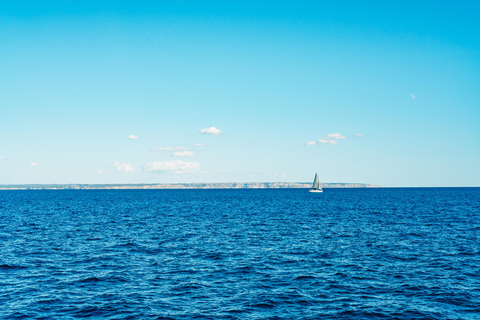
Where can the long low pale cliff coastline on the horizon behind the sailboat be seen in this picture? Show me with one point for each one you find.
(142, 186)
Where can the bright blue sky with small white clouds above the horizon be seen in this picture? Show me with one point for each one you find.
(184, 91)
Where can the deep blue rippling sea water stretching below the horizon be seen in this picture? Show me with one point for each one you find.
(240, 254)
